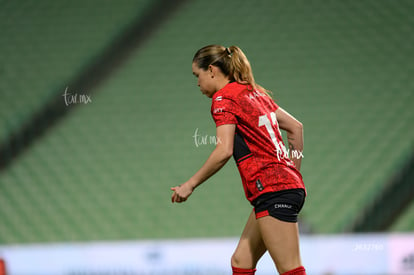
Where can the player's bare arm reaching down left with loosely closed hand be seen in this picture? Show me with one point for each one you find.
(217, 159)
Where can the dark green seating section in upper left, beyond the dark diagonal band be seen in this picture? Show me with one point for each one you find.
(45, 44)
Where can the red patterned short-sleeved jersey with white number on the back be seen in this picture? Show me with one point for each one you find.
(259, 151)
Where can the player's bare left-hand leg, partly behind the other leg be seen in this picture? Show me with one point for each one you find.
(250, 247)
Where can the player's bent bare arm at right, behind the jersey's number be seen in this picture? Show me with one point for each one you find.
(294, 131)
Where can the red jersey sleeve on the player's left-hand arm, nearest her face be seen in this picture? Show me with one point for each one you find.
(223, 111)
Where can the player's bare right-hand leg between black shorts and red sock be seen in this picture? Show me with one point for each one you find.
(282, 241)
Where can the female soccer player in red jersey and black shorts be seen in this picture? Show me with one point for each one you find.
(247, 127)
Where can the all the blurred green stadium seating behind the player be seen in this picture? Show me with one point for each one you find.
(104, 172)
